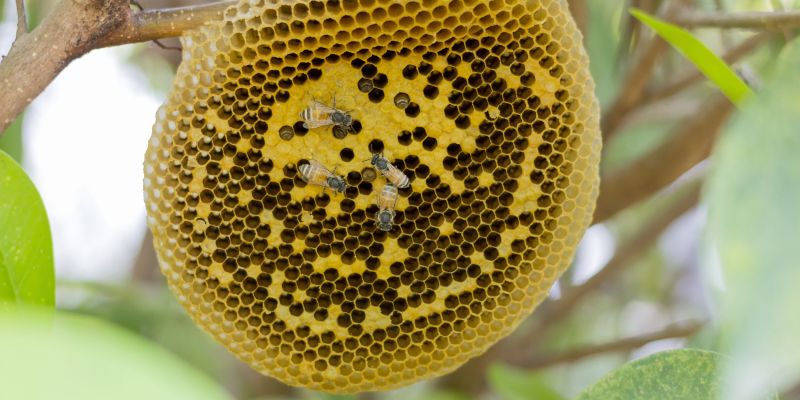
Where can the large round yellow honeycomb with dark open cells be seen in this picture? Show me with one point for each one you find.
(486, 106)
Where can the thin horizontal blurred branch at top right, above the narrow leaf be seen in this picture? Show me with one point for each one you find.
(744, 20)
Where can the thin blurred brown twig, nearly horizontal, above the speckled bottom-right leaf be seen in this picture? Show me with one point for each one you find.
(628, 344)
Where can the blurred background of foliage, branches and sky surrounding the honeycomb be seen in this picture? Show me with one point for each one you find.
(634, 289)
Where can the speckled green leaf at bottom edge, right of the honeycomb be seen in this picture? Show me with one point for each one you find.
(673, 374)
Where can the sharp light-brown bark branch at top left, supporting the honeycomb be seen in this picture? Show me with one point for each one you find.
(76, 27)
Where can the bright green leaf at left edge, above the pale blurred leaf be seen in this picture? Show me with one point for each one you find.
(26, 270)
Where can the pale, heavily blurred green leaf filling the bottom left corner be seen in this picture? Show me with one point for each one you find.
(88, 359)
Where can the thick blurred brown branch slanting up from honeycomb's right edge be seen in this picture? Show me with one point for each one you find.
(690, 144)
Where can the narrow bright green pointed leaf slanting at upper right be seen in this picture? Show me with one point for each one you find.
(706, 61)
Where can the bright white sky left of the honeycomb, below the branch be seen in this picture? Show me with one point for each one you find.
(84, 140)
